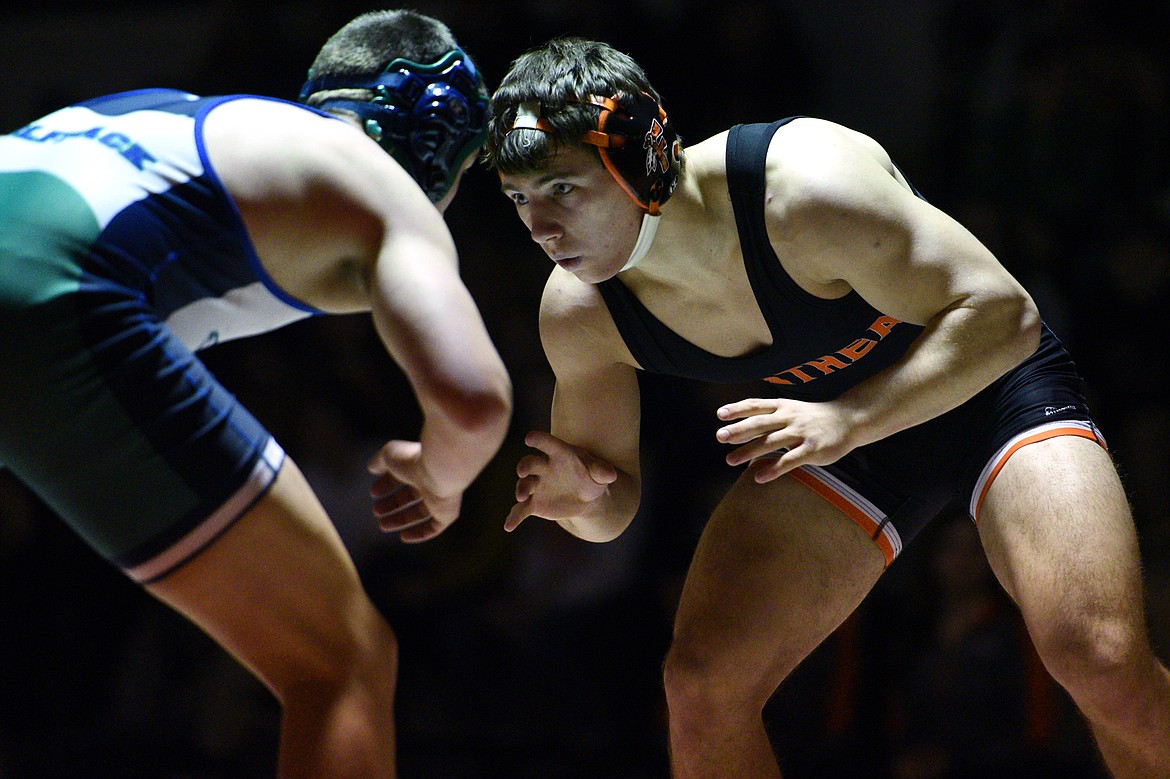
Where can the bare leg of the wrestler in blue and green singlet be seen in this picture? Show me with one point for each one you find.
(279, 591)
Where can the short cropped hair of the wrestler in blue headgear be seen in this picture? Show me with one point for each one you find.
(370, 43)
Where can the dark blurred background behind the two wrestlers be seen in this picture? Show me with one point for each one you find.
(1041, 125)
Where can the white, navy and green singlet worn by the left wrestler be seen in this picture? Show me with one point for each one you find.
(121, 254)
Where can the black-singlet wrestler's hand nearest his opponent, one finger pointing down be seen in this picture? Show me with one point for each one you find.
(559, 482)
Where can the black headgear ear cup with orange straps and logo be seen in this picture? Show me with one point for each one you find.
(639, 148)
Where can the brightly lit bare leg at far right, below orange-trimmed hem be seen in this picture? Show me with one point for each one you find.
(1058, 533)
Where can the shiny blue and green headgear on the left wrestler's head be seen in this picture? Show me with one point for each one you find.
(429, 118)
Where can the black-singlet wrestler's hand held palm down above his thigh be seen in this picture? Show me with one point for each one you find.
(794, 432)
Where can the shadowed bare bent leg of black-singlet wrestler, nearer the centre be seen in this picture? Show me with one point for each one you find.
(776, 571)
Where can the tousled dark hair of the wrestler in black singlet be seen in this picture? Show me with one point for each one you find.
(561, 77)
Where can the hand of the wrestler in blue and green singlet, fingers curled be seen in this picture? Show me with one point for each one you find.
(402, 501)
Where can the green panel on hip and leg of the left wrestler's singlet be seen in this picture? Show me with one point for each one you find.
(63, 430)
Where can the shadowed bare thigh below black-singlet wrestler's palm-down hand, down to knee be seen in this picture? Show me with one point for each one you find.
(776, 571)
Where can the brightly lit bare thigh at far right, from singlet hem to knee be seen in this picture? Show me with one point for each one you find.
(1058, 533)
